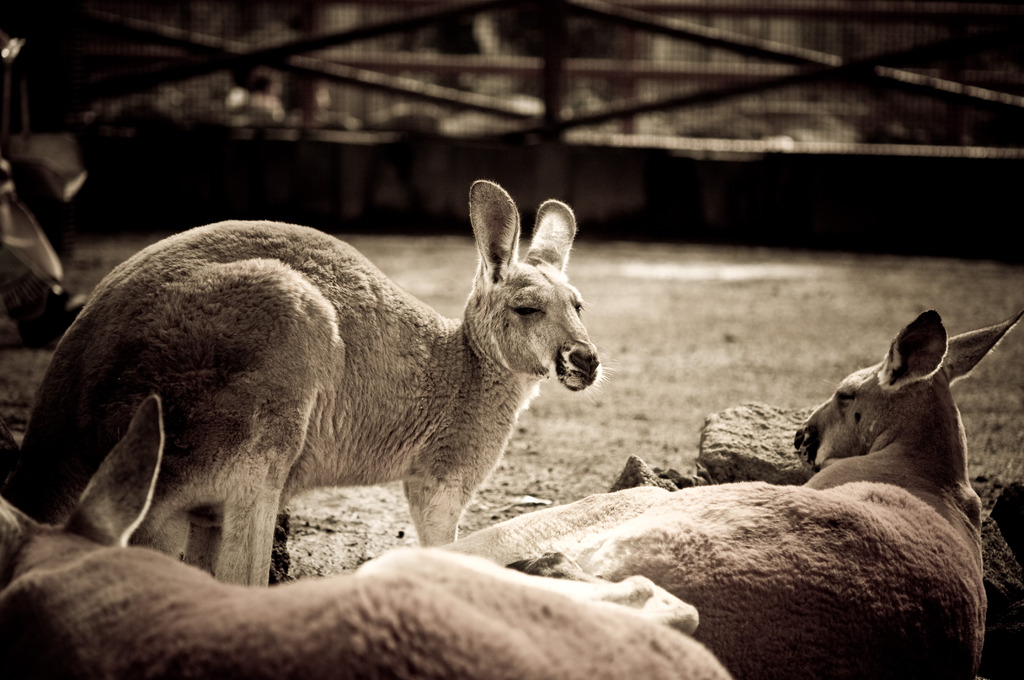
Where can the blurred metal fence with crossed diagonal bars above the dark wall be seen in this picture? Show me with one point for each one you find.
(899, 77)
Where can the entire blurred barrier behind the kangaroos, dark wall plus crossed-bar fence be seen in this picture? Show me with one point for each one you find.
(889, 125)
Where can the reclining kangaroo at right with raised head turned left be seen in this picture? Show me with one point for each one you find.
(872, 570)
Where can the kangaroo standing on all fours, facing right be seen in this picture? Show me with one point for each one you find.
(287, 361)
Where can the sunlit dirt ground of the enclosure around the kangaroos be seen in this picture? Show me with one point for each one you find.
(685, 331)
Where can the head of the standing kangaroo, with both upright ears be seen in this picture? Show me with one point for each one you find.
(526, 315)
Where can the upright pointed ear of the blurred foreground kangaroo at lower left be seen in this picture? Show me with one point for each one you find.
(118, 497)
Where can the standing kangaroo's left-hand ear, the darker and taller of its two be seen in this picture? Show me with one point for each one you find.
(496, 226)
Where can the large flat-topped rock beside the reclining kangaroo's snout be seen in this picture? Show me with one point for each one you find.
(752, 443)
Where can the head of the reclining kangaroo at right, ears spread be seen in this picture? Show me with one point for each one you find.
(905, 399)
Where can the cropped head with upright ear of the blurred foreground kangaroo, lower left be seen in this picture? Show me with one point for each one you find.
(114, 503)
